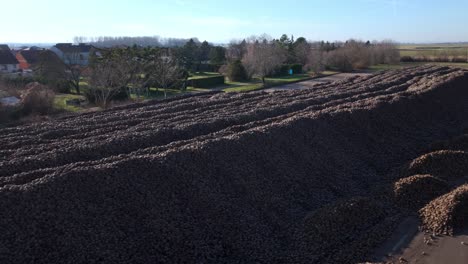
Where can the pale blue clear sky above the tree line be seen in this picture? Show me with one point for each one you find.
(50, 21)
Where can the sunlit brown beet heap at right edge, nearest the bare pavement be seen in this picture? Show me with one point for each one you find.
(448, 213)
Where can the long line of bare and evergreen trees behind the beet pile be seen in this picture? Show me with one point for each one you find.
(117, 71)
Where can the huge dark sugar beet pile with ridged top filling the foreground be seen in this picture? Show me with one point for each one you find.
(279, 177)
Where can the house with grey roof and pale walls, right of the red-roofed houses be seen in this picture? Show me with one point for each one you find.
(73, 54)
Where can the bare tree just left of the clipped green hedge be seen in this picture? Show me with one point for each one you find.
(162, 70)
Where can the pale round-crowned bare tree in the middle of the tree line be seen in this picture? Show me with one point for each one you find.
(262, 58)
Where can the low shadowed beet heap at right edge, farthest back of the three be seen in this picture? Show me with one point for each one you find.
(446, 164)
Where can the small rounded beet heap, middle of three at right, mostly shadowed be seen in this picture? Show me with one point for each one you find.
(416, 191)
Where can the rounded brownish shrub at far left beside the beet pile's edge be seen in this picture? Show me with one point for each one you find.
(37, 99)
